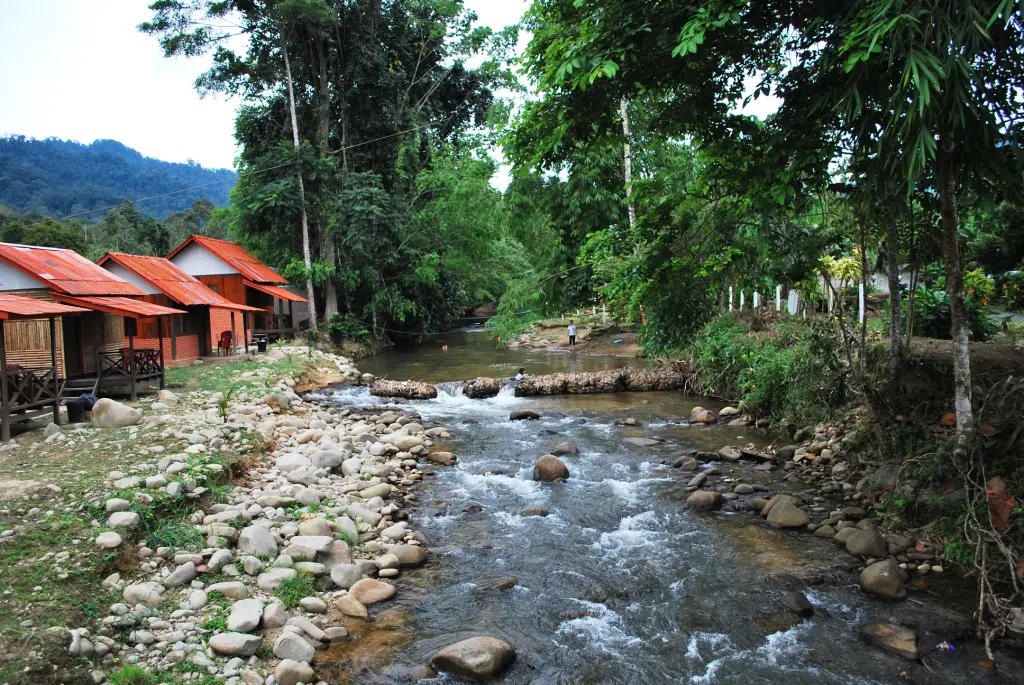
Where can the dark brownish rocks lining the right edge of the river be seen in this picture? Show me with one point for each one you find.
(831, 499)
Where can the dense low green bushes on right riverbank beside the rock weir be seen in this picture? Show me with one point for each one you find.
(792, 372)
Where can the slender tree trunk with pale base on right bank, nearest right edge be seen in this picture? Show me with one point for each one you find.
(955, 288)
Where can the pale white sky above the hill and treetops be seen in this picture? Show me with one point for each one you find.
(79, 70)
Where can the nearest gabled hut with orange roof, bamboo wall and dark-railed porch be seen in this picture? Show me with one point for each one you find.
(92, 351)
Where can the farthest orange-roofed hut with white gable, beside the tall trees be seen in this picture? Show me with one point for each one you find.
(231, 272)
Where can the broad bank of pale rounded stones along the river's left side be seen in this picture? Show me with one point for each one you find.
(312, 537)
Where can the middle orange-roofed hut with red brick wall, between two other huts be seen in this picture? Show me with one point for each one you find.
(192, 335)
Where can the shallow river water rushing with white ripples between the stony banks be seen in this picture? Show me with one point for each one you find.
(619, 584)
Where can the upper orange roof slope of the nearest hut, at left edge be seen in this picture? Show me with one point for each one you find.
(65, 271)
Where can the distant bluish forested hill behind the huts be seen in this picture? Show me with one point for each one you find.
(62, 178)
